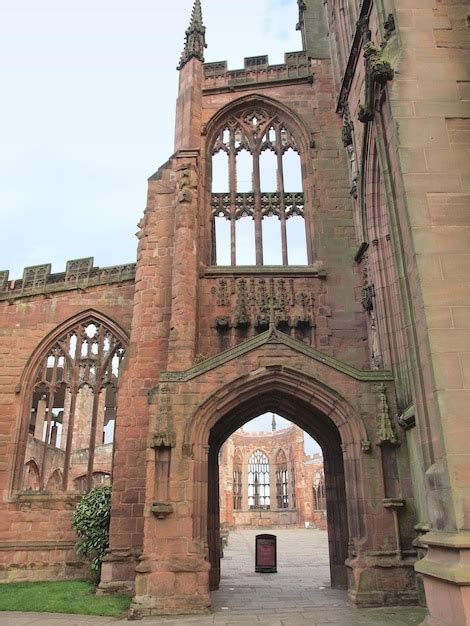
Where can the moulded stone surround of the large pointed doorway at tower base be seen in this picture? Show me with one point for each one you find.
(321, 413)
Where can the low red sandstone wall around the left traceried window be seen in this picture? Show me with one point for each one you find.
(36, 539)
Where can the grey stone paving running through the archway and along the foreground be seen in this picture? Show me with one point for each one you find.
(298, 595)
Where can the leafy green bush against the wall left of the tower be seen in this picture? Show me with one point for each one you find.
(91, 523)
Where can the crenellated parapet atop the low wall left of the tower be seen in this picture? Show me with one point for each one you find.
(79, 274)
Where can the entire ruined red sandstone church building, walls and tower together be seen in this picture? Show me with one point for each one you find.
(364, 344)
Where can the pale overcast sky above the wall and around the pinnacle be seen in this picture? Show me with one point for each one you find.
(87, 113)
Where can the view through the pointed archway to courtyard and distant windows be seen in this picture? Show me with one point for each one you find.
(271, 480)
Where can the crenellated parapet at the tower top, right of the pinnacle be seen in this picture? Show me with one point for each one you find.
(257, 70)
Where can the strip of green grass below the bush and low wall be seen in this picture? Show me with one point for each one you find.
(69, 596)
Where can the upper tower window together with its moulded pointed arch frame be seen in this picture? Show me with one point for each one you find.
(256, 127)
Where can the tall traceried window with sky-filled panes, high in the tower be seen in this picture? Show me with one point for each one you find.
(257, 196)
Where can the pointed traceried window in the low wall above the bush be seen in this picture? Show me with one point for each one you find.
(73, 411)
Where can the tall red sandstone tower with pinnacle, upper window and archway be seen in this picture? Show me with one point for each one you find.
(248, 299)
